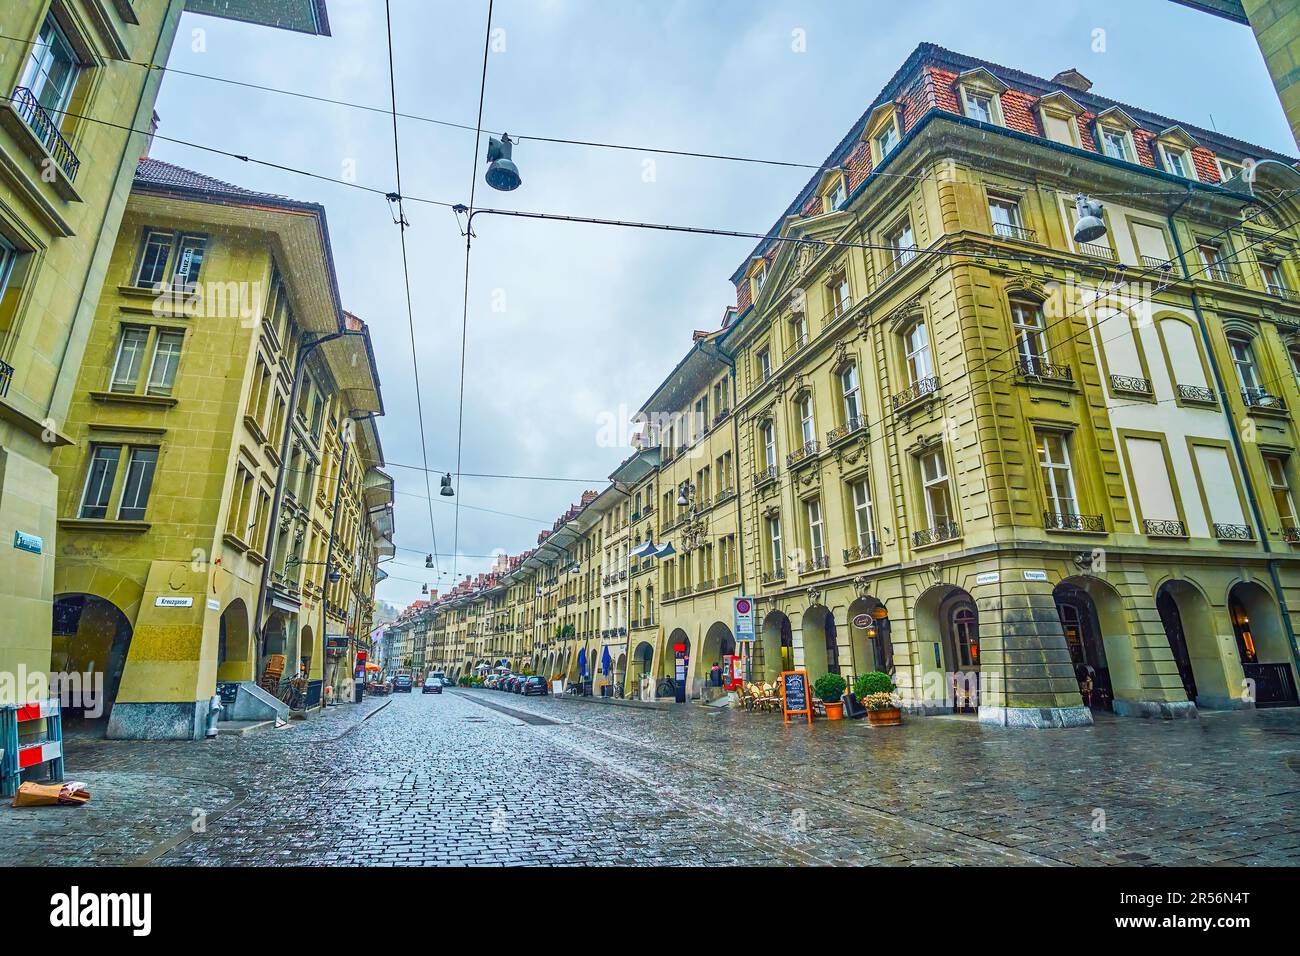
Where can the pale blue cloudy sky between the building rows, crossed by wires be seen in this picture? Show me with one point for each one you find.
(571, 325)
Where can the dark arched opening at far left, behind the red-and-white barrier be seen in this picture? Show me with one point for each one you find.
(93, 638)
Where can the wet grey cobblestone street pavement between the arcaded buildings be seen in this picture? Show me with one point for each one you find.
(484, 778)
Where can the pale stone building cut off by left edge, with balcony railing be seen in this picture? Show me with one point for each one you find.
(73, 123)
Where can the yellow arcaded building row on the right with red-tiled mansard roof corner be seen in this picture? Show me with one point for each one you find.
(1032, 471)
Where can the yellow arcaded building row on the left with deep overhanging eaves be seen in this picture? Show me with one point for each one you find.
(222, 496)
